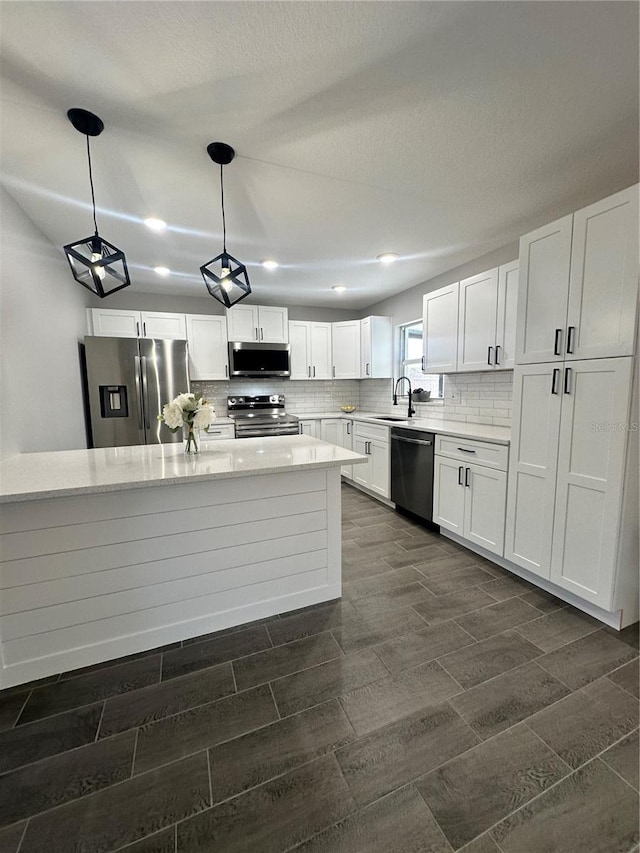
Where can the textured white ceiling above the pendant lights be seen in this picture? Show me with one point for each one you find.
(438, 130)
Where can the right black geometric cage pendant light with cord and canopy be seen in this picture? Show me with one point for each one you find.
(225, 277)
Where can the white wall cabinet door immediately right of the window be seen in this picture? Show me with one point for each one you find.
(440, 330)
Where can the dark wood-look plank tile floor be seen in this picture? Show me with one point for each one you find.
(442, 705)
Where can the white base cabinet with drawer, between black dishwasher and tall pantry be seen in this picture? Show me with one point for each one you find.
(470, 500)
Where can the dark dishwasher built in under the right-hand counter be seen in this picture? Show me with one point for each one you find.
(412, 471)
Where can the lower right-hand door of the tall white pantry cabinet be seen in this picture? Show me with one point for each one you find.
(594, 429)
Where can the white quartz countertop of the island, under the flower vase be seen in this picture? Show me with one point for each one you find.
(33, 476)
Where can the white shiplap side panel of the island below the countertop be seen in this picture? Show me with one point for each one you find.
(92, 578)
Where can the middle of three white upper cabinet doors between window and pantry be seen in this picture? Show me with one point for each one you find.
(478, 308)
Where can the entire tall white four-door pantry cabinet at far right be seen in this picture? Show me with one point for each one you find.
(572, 506)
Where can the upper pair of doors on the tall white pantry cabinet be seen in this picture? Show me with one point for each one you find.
(579, 284)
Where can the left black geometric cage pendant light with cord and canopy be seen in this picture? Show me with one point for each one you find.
(95, 263)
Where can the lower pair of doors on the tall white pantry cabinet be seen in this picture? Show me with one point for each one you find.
(567, 475)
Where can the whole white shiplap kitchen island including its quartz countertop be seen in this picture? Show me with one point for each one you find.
(109, 552)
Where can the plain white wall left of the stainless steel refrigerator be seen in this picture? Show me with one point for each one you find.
(42, 318)
